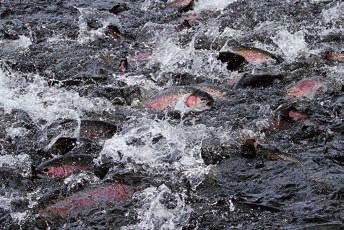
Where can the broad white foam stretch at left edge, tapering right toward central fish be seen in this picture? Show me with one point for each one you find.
(41, 101)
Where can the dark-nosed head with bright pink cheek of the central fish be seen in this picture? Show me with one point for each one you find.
(199, 101)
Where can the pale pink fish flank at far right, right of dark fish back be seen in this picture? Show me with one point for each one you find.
(307, 88)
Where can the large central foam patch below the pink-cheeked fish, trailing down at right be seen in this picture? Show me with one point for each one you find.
(160, 146)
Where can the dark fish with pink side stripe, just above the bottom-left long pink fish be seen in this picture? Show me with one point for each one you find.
(64, 166)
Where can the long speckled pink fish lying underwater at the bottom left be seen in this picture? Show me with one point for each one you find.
(80, 202)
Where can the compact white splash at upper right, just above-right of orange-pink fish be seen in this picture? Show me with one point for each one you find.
(292, 45)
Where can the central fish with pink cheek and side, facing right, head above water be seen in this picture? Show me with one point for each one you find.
(182, 98)
